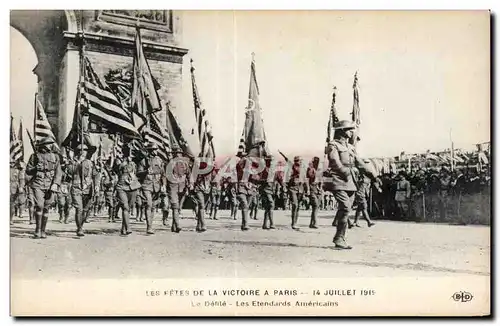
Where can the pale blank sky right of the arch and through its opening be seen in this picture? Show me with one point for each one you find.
(423, 76)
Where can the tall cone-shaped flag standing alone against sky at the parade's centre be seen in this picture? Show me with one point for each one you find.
(253, 138)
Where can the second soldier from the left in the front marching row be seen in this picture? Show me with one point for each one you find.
(84, 185)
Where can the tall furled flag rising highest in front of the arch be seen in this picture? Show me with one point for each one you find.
(144, 97)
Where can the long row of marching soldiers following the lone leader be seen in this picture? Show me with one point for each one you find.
(83, 183)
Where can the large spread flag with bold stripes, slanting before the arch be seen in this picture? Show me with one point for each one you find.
(102, 105)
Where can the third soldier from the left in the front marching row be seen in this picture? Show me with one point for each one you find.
(126, 186)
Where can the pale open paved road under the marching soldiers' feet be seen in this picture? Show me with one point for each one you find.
(387, 249)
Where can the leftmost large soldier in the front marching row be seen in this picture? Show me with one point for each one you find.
(45, 168)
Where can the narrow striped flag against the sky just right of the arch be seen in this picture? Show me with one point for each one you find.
(203, 126)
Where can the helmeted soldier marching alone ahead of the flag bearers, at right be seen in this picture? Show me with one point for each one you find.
(342, 158)
